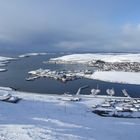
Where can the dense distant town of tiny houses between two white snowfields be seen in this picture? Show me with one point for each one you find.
(116, 66)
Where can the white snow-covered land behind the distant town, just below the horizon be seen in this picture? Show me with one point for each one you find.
(107, 57)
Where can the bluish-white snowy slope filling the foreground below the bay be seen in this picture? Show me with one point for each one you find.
(47, 117)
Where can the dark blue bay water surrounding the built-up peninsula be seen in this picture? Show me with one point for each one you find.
(18, 71)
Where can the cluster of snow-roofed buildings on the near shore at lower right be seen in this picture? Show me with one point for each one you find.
(118, 108)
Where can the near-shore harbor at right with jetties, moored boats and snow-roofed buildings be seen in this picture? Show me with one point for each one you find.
(110, 106)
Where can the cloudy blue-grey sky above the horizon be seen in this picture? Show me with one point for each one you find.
(70, 25)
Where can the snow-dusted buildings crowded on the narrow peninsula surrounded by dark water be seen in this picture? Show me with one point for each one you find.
(63, 76)
